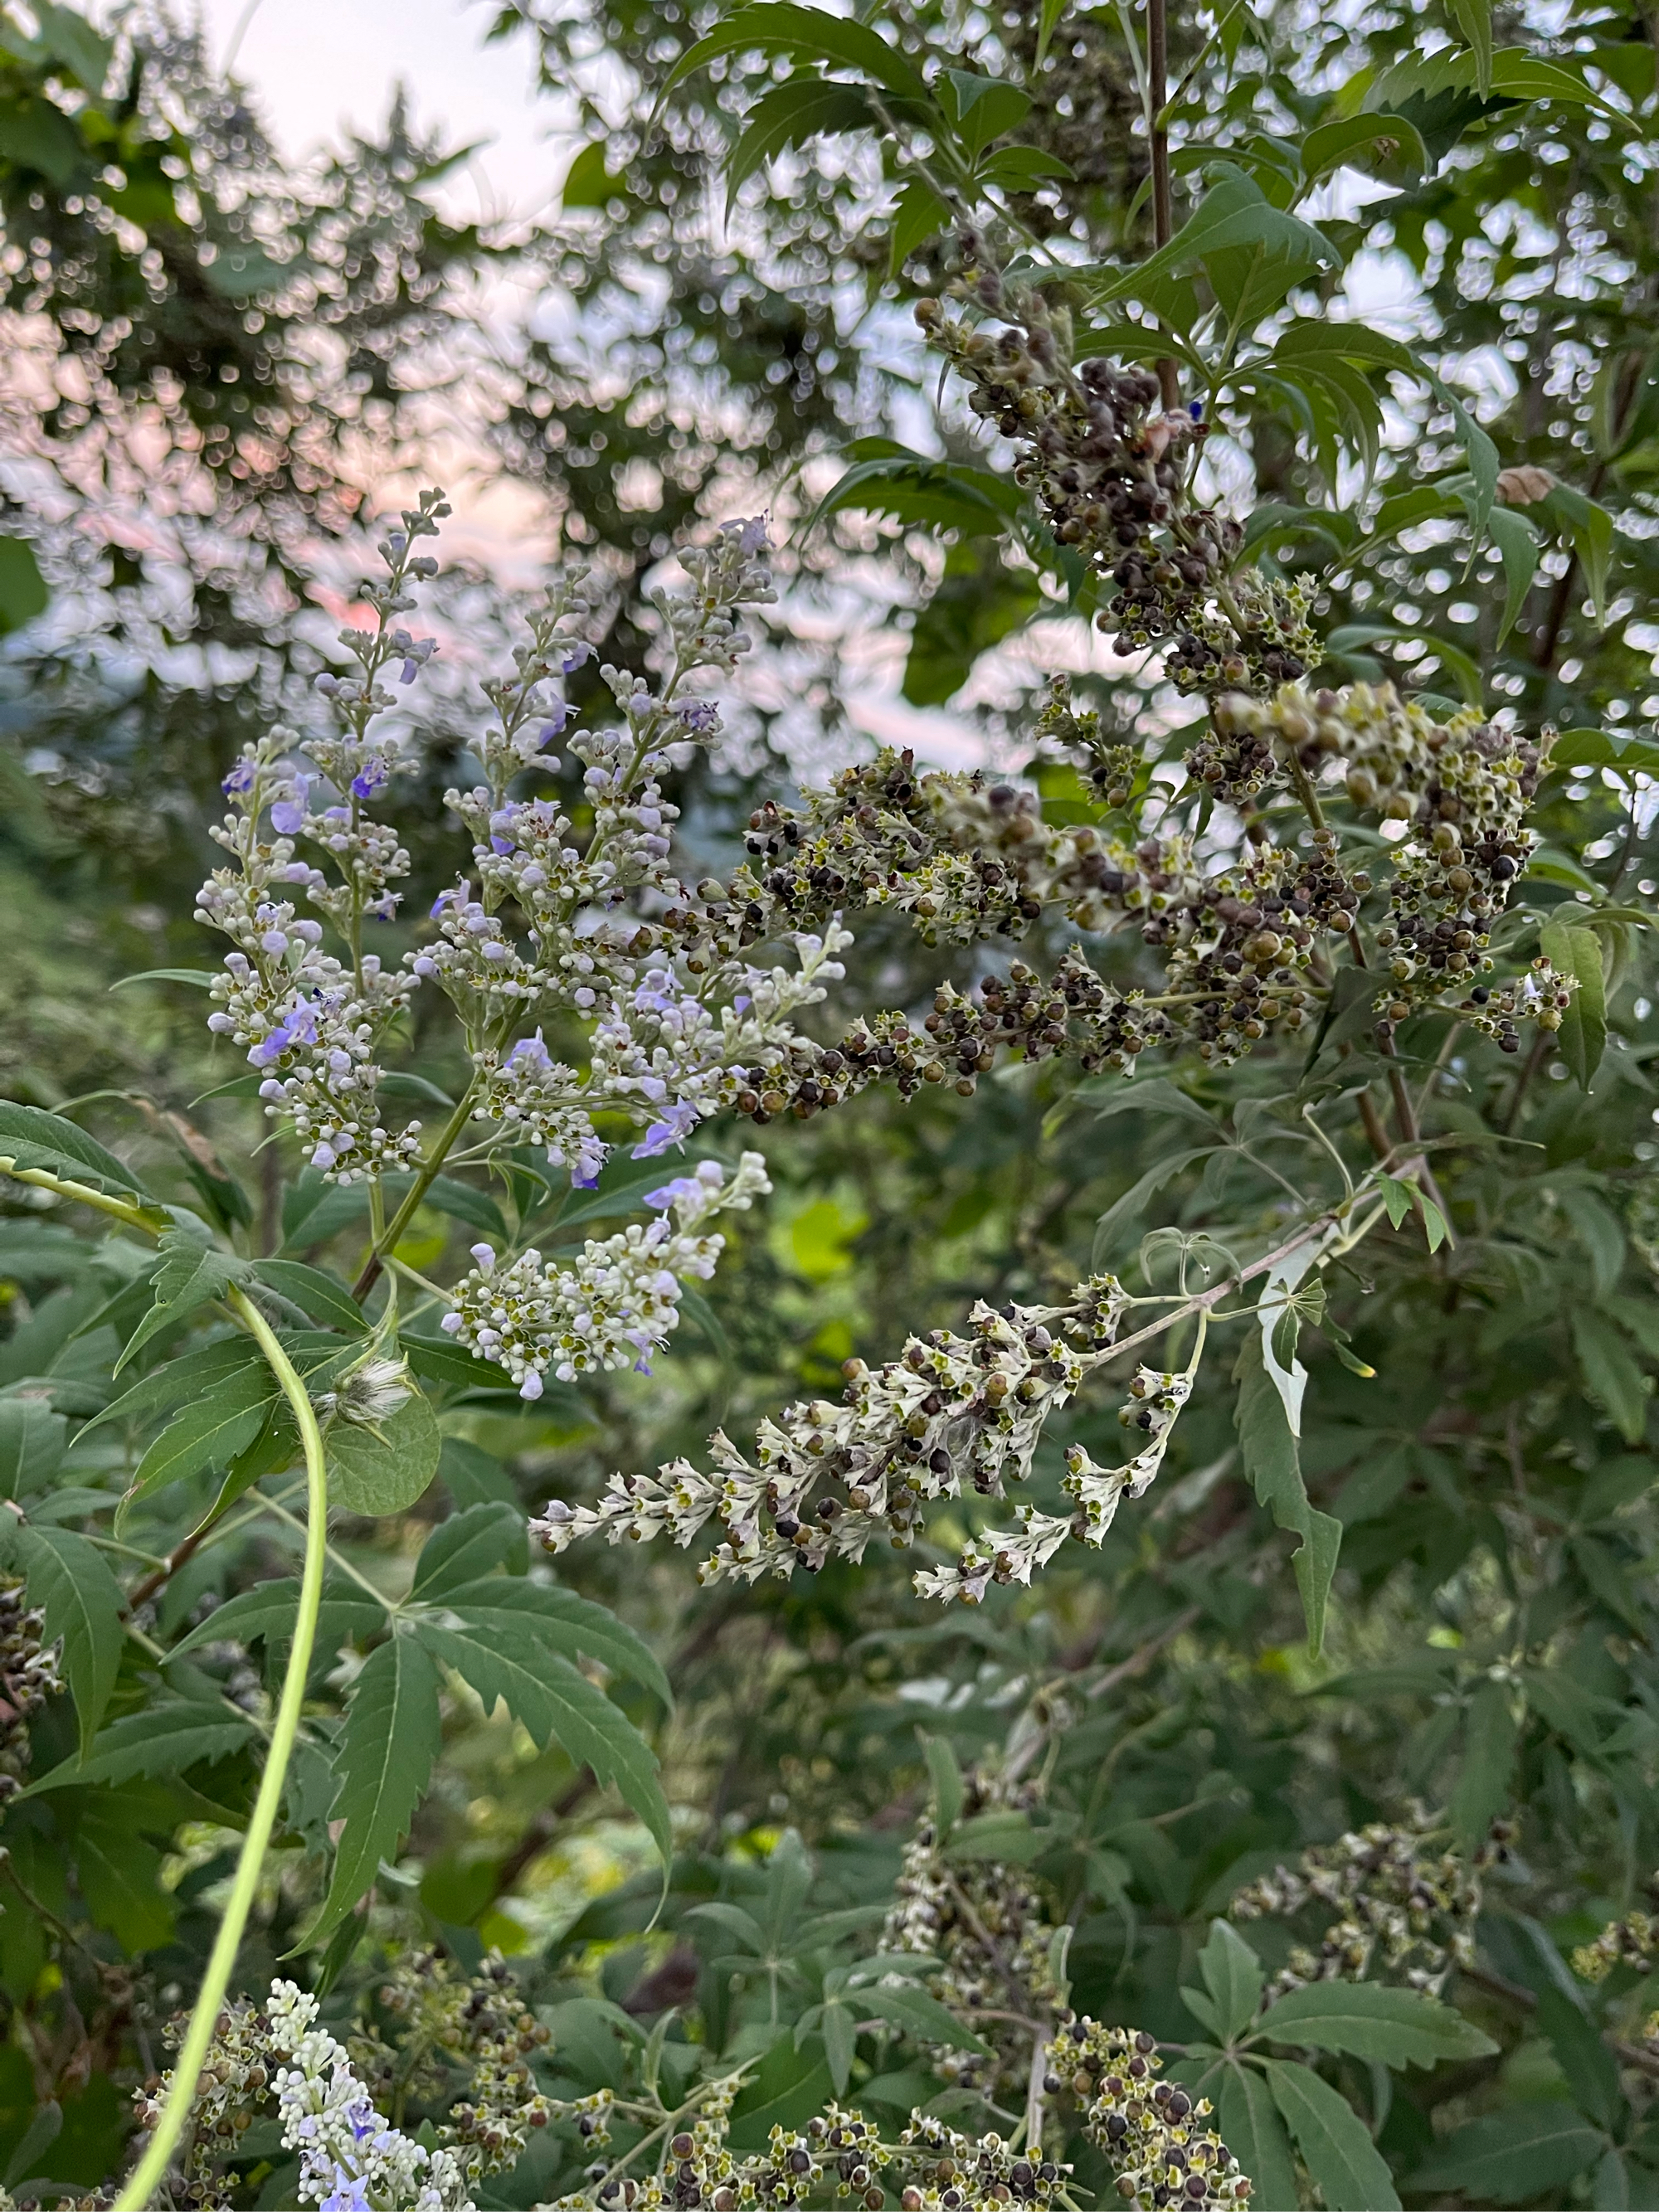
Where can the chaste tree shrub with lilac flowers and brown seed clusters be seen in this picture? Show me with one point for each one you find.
(1288, 1771)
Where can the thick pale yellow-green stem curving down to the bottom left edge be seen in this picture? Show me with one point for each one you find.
(154, 2167)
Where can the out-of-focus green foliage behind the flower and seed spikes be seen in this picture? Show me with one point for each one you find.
(1492, 1627)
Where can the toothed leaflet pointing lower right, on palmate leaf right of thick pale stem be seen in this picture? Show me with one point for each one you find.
(508, 1658)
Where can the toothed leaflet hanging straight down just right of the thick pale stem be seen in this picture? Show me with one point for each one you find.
(384, 1760)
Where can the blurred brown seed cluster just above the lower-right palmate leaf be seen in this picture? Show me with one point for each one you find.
(1404, 1903)
